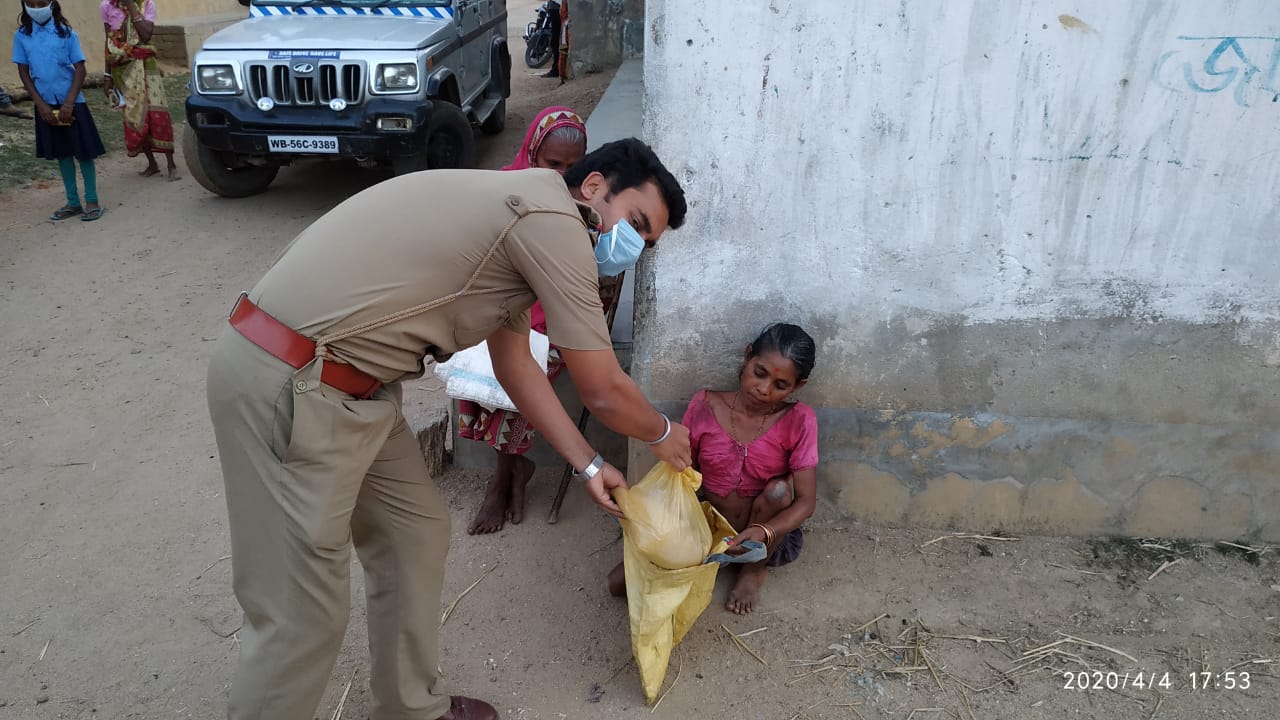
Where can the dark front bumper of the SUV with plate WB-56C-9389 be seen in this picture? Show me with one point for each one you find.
(227, 125)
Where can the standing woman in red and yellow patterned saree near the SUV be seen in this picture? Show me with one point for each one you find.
(134, 72)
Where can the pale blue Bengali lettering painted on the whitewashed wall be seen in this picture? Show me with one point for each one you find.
(1241, 66)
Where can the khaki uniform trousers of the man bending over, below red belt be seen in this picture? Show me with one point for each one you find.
(309, 472)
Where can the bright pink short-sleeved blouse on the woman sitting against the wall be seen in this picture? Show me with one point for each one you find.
(726, 466)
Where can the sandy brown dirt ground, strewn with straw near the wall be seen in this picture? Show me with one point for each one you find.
(116, 589)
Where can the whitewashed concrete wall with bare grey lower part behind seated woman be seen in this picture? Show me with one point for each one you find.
(1058, 217)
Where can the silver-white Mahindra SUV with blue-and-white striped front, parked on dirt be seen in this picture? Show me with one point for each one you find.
(378, 81)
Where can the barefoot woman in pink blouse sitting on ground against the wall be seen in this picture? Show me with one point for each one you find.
(758, 454)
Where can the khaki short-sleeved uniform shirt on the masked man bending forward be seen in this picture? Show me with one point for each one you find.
(420, 238)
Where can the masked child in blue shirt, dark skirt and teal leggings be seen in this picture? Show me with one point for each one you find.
(52, 66)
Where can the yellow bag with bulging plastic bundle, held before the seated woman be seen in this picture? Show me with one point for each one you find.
(666, 526)
